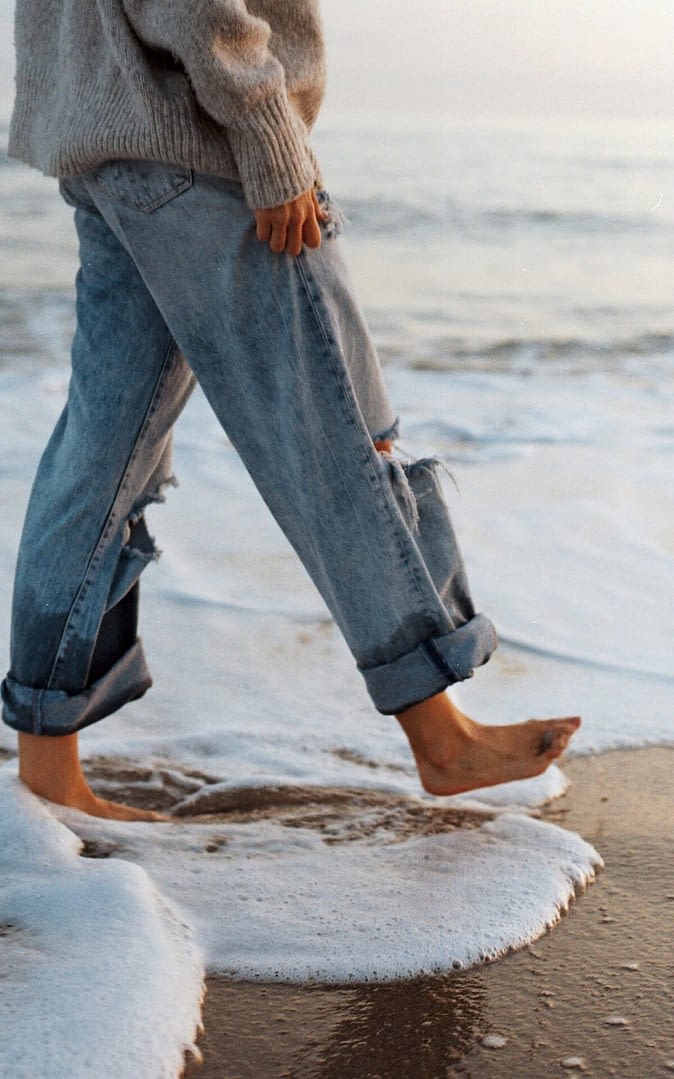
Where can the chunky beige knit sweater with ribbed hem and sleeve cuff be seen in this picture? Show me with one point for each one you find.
(227, 87)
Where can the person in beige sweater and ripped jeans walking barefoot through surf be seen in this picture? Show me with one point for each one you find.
(181, 134)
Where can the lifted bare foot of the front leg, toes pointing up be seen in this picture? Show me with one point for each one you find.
(455, 755)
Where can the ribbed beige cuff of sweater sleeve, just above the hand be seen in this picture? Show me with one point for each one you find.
(272, 154)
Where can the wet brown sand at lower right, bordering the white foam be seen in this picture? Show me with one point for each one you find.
(595, 996)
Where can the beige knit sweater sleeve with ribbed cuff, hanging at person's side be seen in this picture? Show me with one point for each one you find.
(237, 79)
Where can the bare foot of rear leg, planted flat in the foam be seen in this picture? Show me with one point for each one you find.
(51, 769)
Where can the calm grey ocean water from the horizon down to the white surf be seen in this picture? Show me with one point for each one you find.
(475, 245)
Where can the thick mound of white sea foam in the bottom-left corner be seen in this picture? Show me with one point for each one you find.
(101, 974)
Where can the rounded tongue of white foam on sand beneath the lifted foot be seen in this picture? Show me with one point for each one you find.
(276, 903)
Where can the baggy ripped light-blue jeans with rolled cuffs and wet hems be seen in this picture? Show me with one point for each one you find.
(174, 286)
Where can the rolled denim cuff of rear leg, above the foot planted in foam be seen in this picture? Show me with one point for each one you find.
(57, 713)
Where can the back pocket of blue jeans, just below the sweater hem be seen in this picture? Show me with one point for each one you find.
(143, 185)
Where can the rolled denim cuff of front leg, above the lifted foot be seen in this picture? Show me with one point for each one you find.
(432, 667)
